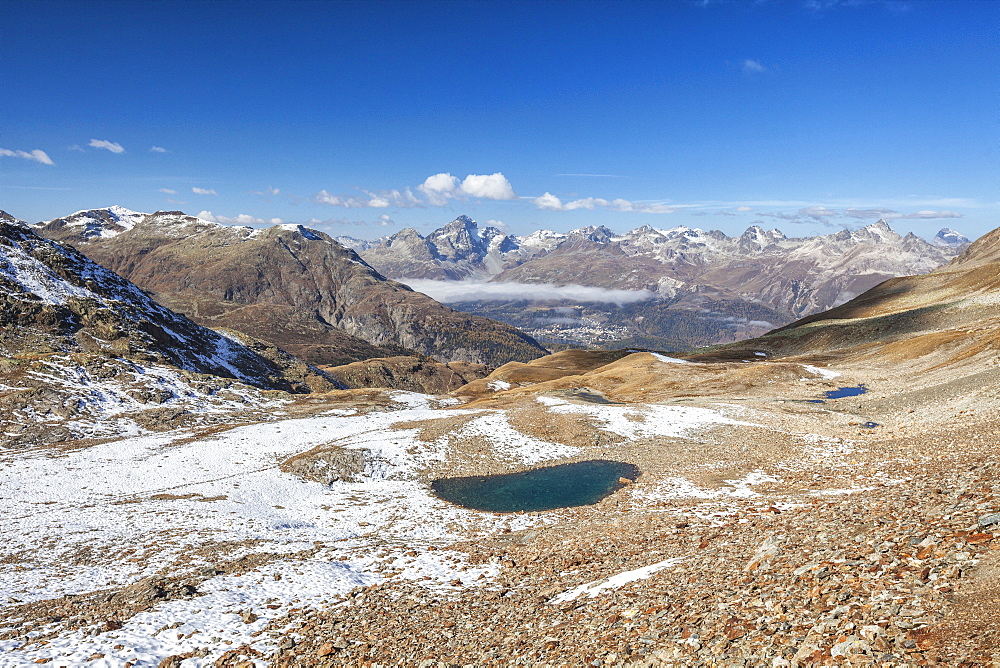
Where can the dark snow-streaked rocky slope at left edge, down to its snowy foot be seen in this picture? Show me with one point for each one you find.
(86, 354)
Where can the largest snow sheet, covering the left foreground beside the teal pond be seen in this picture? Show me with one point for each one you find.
(165, 495)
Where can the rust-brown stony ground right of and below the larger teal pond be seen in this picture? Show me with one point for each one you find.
(791, 535)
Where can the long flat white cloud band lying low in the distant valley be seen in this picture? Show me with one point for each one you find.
(457, 291)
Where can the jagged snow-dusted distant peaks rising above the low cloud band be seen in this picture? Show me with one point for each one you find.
(800, 275)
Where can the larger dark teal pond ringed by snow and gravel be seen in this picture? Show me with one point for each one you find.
(547, 488)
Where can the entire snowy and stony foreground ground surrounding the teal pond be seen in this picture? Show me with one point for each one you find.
(763, 531)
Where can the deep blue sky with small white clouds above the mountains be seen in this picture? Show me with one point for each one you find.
(367, 117)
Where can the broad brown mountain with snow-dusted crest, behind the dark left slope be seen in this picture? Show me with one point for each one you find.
(290, 285)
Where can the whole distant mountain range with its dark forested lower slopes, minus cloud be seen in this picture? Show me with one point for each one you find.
(702, 287)
